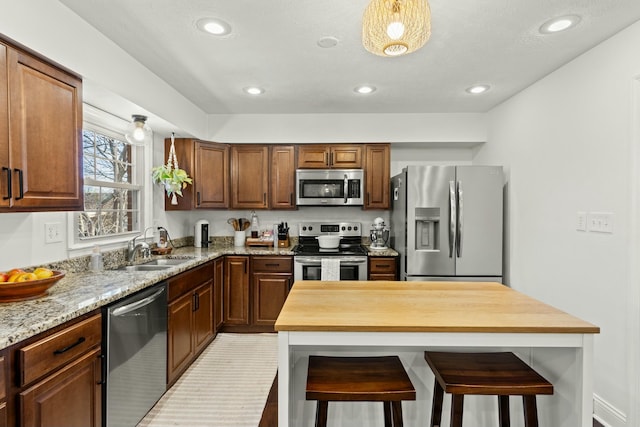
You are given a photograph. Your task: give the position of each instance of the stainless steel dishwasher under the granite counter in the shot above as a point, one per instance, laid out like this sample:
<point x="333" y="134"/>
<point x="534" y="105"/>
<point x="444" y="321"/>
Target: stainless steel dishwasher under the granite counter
<point x="136" y="362"/>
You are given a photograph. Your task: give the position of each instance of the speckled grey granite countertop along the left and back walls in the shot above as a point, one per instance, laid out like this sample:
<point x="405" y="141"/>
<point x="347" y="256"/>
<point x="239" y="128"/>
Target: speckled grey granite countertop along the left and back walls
<point x="79" y="293"/>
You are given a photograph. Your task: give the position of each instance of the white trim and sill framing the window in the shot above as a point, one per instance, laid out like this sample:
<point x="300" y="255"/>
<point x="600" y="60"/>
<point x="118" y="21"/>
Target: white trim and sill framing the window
<point x="102" y="120"/>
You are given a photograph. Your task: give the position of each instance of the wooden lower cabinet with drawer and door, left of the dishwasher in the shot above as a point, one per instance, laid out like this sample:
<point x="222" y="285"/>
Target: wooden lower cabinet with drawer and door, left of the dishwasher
<point x="58" y="376"/>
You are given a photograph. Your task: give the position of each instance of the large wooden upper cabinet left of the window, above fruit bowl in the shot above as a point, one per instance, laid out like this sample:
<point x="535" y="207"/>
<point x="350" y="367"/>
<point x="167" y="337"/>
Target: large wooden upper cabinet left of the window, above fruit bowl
<point x="40" y="134"/>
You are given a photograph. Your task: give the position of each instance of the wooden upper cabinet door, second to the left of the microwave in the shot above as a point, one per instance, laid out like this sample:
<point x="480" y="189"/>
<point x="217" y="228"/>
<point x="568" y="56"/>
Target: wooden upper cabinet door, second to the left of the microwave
<point x="249" y="176"/>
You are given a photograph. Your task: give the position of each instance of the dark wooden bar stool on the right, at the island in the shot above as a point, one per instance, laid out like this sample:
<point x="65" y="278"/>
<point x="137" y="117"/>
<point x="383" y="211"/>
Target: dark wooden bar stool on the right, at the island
<point x="501" y="374"/>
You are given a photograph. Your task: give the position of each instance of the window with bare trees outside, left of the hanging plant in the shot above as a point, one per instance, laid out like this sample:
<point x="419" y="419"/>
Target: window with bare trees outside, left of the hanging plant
<point x="113" y="184"/>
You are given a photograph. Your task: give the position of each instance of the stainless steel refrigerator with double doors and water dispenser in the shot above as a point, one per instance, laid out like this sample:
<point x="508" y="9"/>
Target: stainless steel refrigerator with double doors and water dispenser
<point x="447" y="224"/>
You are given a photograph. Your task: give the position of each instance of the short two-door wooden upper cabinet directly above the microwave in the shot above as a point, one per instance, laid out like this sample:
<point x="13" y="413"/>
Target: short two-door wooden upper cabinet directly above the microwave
<point x="336" y="156"/>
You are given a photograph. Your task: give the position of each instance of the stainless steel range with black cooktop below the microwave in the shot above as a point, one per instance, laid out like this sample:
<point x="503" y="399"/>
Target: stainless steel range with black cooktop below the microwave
<point x="308" y="255"/>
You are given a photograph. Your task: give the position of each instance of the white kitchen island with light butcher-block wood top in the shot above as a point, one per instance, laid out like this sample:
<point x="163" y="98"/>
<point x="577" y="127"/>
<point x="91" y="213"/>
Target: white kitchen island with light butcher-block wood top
<point x="407" y="318"/>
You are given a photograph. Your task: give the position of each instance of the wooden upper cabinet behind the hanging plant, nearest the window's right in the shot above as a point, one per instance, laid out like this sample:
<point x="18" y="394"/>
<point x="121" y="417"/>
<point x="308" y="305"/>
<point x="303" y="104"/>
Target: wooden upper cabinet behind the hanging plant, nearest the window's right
<point x="207" y="163"/>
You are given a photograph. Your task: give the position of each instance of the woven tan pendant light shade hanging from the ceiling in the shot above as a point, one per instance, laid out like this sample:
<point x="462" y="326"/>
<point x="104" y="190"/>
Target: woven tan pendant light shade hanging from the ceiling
<point x="396" y="27"/>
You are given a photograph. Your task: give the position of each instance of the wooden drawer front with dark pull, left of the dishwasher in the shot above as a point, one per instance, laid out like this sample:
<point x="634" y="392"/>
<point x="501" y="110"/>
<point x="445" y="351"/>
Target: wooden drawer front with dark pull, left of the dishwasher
<point x="50" y="353"/>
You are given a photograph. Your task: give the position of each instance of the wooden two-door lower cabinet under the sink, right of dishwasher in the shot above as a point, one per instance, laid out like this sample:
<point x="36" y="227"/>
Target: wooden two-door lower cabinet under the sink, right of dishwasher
<point x="191" y="319"/>
